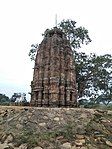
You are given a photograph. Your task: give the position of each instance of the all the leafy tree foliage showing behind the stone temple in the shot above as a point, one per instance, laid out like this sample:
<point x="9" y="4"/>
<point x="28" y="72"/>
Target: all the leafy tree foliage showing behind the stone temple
<point x="93" y="73"/>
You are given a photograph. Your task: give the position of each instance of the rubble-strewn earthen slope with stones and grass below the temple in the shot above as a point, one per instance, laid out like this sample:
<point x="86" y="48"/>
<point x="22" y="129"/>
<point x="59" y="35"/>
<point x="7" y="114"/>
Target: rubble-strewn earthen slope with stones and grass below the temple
<point x="55" y="128"/>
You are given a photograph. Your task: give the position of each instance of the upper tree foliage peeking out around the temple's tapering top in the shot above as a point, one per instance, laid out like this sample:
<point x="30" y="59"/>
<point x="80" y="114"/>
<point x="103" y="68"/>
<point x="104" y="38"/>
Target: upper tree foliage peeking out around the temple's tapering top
<point x="76" y="35"/>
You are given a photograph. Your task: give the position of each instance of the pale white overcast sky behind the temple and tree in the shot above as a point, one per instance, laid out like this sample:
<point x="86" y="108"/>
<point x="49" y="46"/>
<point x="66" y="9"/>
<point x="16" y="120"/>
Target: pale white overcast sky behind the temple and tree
<point x="23" y="21"/>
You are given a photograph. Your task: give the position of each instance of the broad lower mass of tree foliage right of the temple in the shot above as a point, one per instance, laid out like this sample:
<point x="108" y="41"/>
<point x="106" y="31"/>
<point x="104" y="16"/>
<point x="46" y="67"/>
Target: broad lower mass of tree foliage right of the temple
<point x="94" y="76"/>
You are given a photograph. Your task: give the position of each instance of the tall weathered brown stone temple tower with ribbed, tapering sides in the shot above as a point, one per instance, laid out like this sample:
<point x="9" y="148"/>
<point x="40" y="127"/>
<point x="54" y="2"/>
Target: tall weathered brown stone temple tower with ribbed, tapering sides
<point x="54" y="80"/>
